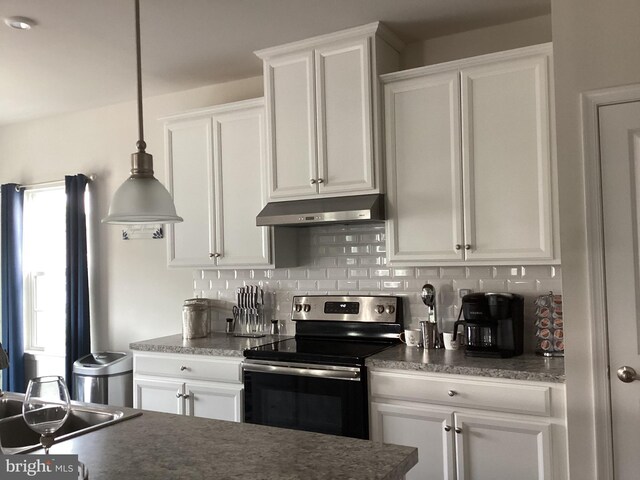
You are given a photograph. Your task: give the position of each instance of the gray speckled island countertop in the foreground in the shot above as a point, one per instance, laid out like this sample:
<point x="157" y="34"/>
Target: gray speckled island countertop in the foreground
<point x="160" y="445"/>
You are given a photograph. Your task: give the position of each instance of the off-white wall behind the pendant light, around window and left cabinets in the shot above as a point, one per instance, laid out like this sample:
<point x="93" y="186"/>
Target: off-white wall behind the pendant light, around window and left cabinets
<point x="136" y="296"/>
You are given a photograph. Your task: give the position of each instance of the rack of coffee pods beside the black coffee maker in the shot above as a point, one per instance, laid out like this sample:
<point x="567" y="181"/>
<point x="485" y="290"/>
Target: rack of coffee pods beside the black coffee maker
<point x="549" y="325"/>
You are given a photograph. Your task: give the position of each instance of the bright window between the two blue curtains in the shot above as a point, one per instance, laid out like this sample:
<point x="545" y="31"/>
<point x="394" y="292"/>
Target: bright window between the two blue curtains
<point x="44" y="264"/>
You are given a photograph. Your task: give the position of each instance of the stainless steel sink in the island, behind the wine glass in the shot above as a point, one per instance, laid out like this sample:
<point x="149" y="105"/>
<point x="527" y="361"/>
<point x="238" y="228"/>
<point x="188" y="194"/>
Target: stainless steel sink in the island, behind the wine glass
<point x="17" y="437"/>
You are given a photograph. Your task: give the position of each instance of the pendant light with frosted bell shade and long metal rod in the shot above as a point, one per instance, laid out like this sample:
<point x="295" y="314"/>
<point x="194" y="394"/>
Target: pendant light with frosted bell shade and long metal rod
<point x="141" y="198"/>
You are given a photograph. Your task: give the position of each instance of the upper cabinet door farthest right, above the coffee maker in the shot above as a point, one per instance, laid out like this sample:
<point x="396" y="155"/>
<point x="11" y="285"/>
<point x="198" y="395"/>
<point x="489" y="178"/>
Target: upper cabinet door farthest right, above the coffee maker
<point x="507" y="160"/>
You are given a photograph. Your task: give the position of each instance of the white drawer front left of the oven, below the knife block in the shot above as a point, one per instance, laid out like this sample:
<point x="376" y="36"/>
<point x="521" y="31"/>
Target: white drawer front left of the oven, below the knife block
<point x="188" y="367"/>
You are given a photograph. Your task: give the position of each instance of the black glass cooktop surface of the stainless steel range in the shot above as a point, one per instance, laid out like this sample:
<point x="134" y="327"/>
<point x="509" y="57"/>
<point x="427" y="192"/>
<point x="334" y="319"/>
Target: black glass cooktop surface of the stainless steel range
<point x="325" y="351"/>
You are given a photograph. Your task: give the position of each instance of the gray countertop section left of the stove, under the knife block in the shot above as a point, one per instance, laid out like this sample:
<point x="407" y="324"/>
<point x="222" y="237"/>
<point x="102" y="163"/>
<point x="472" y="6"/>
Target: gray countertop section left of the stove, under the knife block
<point x="216" y="344"/>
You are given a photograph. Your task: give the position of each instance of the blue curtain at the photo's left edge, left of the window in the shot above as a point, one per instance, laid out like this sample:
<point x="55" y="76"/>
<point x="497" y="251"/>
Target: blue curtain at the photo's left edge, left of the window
<point x="11" y="203"/>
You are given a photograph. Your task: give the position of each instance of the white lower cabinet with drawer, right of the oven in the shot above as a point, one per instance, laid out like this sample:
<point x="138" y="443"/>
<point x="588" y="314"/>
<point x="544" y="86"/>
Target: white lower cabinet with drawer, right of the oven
<point x="465" y="435"/>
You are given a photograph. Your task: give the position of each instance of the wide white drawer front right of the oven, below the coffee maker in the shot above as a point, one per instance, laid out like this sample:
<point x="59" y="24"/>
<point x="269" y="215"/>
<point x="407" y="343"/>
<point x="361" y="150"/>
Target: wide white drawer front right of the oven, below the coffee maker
<point x="485" y="395"/>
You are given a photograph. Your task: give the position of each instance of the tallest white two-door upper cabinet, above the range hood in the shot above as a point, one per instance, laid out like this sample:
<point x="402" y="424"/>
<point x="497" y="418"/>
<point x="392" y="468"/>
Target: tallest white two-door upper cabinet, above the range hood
<point x="323" y="112"/>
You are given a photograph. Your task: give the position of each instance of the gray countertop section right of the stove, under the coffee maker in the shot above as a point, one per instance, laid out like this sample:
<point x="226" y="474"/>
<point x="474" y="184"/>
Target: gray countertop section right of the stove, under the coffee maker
<point x="523" y="367"/>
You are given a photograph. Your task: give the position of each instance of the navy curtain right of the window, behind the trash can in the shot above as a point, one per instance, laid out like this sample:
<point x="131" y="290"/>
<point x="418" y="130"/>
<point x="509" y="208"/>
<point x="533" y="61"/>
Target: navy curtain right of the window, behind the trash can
<point x="78" y="330"/>
